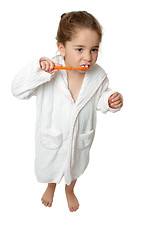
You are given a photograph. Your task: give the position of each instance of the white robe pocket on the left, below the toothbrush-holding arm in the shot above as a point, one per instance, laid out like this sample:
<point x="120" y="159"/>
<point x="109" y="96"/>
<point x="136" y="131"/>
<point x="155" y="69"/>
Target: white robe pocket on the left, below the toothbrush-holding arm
<point x="50" y="139"/>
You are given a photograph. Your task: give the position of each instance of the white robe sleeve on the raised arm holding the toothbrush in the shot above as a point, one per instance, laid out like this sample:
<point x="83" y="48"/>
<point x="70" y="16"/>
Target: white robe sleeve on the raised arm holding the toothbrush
<point x="27" y="81"/>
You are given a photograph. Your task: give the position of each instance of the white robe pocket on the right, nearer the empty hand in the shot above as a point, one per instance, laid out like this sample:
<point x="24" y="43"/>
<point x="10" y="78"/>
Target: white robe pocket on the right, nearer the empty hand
<point x="85" y="140"/>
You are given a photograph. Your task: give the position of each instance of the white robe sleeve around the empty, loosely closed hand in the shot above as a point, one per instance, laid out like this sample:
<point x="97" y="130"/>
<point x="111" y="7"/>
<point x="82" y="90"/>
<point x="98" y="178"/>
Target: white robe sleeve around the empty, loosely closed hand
<point x="106" y="92"/>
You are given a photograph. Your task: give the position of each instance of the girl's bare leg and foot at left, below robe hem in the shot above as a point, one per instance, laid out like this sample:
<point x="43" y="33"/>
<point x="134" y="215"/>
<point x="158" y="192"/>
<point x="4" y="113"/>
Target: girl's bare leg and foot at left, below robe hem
<point x="47" y="197"/>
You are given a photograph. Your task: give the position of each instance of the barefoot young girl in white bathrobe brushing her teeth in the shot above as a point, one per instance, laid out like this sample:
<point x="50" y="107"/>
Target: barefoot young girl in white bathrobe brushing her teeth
<point x="66" y="103"/>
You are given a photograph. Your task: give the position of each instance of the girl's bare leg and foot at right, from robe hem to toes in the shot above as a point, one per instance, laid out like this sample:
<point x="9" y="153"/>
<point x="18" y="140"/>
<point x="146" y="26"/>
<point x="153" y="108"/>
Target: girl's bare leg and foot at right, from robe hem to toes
<point x="73" y="203"/>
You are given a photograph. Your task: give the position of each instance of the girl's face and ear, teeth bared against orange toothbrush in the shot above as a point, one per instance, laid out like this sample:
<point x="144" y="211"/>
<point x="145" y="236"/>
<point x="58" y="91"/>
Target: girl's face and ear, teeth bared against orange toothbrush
<point x="81" y="50"/>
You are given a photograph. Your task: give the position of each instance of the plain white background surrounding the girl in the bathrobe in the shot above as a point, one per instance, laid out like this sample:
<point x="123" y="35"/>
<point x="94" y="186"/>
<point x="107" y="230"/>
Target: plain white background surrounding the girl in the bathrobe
<point x="119" y="193"/>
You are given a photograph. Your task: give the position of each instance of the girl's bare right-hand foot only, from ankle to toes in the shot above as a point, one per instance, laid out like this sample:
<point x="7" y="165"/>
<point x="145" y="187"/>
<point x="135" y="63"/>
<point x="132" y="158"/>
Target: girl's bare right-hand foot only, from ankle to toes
<point x="73" y="203"/>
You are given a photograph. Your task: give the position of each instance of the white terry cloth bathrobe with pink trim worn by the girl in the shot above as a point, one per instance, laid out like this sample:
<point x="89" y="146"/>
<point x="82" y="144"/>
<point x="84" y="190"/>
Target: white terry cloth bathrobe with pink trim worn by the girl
<point x="64" y="129"/>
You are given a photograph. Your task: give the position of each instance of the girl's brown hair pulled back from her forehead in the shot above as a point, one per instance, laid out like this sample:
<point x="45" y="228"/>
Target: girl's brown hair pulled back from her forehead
<point x="71" y="21"/>
